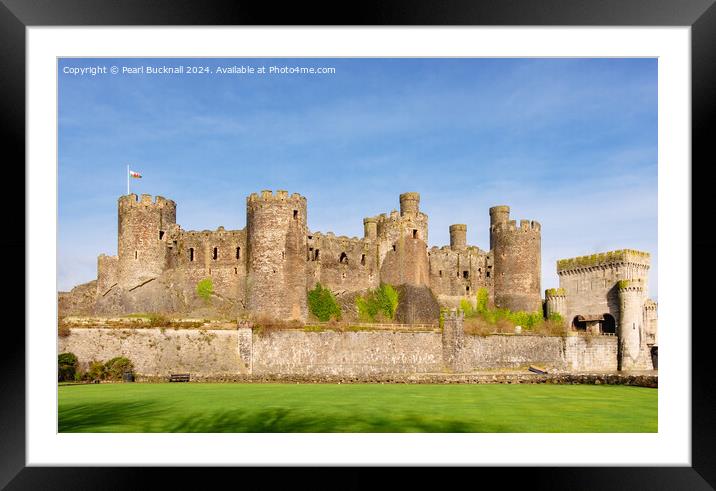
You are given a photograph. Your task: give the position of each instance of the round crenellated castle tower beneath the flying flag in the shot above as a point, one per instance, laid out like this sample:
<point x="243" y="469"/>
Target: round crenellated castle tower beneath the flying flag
<point x="142" y="238"/>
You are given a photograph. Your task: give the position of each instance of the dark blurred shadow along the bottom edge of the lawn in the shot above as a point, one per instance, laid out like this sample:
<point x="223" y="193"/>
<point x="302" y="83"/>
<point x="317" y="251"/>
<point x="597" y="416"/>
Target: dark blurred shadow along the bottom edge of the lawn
<point x="147" y="417"/>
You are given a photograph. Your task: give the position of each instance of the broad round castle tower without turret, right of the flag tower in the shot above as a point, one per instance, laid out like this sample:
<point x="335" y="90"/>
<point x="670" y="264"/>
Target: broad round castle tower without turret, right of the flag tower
<point x="276" y="241"/>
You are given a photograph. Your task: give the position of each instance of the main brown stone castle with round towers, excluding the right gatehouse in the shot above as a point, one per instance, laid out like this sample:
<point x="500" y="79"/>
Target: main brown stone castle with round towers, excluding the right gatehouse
<point x="267" y="267"/>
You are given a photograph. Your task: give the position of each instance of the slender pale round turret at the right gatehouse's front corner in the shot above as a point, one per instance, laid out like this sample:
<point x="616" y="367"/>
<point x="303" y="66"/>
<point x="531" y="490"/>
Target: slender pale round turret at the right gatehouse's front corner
<point x="632" y="339"/>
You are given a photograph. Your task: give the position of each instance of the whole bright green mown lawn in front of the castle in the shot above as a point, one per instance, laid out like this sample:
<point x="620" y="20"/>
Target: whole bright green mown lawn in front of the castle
<point x="210" y="408"/>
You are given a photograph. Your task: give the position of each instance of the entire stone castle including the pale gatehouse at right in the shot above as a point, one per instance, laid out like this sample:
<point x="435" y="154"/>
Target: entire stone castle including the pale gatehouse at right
<point x="268" y="267"/>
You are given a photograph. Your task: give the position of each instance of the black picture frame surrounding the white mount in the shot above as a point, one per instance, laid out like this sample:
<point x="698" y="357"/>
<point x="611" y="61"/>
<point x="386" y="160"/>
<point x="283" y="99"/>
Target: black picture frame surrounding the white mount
<point x="700" y="15"/>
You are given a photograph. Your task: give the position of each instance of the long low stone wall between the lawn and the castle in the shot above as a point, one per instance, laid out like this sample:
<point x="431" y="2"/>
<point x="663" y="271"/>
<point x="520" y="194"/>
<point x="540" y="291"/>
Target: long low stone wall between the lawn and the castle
<point x="224" y="353"/>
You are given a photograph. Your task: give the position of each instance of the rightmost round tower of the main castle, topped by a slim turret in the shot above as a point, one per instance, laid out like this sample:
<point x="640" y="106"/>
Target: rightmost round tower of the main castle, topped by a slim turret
<point x="517" y="261"/>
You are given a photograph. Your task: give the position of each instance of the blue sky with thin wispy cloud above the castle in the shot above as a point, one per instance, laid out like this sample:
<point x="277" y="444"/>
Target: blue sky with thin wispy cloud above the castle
<point x="571" y="143"/>
